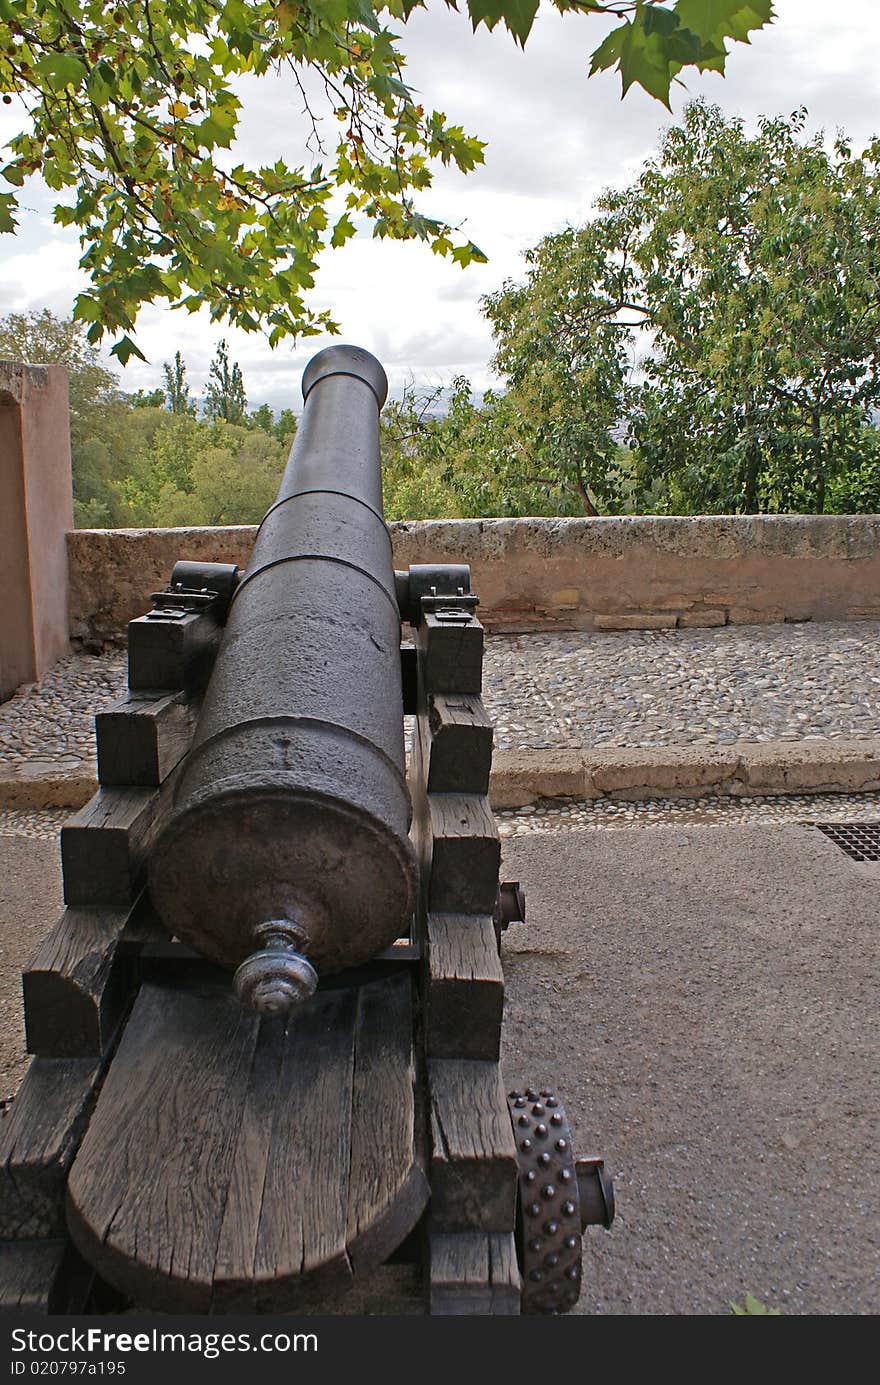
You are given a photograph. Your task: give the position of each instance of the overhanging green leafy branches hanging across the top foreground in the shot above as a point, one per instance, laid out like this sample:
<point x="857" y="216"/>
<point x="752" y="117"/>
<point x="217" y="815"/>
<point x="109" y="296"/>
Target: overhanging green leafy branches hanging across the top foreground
<point x="130" y="111"/>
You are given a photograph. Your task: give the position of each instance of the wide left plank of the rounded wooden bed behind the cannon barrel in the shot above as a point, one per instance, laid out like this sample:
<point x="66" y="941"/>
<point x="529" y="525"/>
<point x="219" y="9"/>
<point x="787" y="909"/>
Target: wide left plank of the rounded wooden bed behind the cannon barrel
<point x="148" y="1190"/>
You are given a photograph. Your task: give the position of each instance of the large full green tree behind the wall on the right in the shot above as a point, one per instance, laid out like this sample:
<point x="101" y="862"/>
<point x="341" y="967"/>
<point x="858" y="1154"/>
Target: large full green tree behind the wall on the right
<point x="746" y="268"/>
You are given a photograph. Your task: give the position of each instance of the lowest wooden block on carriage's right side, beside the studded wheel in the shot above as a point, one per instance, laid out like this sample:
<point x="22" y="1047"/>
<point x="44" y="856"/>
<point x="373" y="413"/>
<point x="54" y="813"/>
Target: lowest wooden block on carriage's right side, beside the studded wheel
<point x="473" y="1274"/>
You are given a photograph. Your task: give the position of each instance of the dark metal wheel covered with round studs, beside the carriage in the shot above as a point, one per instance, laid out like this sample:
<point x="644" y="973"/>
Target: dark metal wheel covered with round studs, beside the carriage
<point x="549" y="1206"/>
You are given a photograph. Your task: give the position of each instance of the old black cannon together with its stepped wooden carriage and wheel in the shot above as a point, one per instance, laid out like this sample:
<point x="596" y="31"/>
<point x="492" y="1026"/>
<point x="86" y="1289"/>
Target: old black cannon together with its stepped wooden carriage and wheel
<point x="267" y="1027"/>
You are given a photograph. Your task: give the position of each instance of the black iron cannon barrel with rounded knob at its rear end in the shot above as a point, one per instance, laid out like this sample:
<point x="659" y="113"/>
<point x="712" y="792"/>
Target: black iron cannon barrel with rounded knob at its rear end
<point x="288" y="851"/>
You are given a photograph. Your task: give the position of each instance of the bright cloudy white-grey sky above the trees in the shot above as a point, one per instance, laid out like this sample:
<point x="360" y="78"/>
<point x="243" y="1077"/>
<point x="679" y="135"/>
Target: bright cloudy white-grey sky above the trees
<point x="555" y="142"/>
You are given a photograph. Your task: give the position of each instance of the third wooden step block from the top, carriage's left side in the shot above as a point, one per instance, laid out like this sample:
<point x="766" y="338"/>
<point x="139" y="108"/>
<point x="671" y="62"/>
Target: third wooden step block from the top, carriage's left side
<point x="105" y="847"/>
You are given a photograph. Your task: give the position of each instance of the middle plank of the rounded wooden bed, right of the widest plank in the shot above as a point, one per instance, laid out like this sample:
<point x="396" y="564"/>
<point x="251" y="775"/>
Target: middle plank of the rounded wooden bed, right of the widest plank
<point x="304" y="1217"/>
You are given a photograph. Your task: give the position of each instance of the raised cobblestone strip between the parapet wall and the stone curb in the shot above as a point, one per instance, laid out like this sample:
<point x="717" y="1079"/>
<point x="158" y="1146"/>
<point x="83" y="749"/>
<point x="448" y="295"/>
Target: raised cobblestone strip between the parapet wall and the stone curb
<point x="631" y="689"/>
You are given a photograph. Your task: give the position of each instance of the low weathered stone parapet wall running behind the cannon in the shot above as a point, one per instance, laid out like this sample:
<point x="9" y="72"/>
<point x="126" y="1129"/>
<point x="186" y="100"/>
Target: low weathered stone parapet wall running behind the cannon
<point x="616" y="574"/>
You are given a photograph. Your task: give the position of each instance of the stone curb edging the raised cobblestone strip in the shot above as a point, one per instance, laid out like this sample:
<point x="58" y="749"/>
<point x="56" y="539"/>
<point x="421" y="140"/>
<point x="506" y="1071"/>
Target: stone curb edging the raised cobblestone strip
<point x="522" y="776"/>
